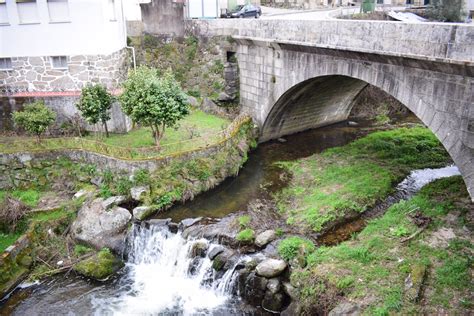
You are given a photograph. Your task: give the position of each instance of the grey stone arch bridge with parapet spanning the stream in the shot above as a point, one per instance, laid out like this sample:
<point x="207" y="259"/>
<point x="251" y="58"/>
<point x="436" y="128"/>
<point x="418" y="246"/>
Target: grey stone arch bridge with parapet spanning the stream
<point x="296" y="75"/>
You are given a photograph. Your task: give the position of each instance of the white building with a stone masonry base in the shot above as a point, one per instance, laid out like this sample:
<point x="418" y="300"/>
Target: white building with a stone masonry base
<point x="59" y="45"/>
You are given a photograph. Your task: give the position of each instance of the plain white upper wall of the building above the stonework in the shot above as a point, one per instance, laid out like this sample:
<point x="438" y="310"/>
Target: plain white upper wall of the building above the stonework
<point x="90" y="29"/>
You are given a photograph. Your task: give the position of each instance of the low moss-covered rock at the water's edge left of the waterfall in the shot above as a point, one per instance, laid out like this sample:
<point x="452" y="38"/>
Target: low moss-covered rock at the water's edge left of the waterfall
<point x="100" y="266"/>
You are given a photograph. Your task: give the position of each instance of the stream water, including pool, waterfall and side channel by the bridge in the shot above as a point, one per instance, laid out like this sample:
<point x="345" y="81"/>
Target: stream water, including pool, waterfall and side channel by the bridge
<point x="163" y="275"/>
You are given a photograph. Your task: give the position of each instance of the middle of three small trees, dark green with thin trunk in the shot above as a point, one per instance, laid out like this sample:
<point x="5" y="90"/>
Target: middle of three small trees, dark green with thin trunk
<point x="95" y="104"/>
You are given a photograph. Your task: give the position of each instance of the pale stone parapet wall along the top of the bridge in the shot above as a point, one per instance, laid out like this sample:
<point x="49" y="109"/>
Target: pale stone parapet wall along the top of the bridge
<point x="442" y="42"/>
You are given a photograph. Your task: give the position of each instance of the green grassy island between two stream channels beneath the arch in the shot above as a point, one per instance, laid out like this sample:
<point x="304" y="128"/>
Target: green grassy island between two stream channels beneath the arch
<point x="344" y="181"/>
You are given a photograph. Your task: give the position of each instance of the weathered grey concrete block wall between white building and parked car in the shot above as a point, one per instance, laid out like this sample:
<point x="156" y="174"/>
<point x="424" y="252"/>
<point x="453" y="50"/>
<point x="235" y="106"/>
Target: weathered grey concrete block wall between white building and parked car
<point x="163" y="17"/>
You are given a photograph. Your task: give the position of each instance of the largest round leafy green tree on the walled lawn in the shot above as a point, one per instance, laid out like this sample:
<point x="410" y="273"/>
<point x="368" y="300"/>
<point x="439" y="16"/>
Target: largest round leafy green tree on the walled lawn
<point x="158" y="102"/>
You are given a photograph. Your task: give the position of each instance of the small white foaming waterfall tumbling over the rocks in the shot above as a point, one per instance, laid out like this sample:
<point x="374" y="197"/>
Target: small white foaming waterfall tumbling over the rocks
<point x="163" y="277"/>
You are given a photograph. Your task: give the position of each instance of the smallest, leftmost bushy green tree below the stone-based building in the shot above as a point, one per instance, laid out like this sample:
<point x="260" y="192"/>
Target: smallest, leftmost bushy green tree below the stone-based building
<point x="35" y="118"/>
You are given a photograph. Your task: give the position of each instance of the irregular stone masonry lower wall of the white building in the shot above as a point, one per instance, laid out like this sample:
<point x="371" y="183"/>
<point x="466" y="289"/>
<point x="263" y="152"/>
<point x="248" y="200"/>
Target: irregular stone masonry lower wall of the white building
<point x="36" y="74"/>
